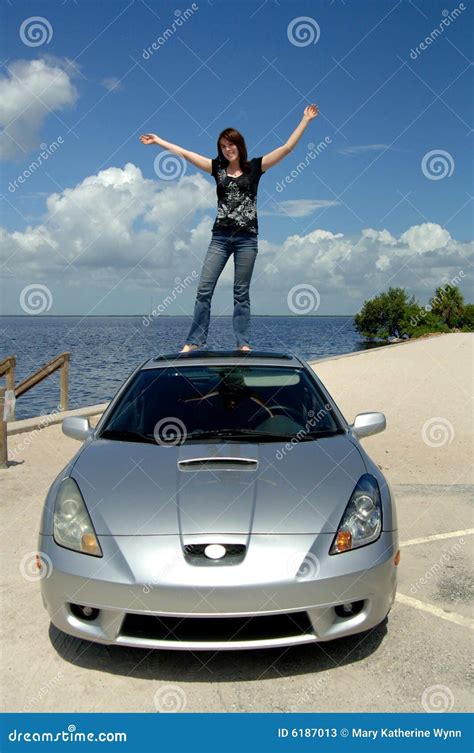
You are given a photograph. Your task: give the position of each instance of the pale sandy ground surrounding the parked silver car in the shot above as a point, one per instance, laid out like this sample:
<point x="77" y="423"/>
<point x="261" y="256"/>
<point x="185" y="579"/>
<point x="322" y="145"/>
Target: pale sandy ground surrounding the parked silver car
<point x="424" y="388"/>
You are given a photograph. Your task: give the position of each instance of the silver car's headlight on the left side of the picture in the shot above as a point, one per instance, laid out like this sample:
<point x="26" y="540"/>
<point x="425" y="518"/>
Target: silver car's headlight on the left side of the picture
<point x="73" y="527"/>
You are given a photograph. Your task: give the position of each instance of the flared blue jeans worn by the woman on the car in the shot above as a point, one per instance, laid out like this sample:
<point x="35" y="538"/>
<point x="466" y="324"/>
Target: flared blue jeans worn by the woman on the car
<point x="222" y="245"/>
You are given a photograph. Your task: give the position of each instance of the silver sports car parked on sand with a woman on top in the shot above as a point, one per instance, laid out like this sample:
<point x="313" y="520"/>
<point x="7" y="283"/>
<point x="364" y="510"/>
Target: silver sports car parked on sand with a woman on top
<point x="221" y="502"/>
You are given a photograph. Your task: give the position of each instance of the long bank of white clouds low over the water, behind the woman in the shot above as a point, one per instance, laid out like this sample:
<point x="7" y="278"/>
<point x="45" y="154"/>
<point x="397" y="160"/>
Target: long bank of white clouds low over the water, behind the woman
<point x="119" y="228"/>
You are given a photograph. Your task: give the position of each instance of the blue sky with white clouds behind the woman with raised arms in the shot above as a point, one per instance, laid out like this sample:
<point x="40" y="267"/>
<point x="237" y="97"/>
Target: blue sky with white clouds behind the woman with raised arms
<point x="384" y="200"/>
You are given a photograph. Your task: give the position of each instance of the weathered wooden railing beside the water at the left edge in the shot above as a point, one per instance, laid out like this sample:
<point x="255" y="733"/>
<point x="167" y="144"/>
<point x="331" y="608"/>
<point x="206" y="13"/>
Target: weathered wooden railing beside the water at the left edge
<point x="7" y="369"/>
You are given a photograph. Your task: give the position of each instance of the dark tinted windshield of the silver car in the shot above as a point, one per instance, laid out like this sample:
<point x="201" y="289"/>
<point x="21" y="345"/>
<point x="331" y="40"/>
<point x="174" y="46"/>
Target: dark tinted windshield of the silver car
<point x="176" y="405"/>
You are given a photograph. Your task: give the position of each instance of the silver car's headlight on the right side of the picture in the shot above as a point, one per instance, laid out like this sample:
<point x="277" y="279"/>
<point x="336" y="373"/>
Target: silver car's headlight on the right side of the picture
<point x="362" y="520"/>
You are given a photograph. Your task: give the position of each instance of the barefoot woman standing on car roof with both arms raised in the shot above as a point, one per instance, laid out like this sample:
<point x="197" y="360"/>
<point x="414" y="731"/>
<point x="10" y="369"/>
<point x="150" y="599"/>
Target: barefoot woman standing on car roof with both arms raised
<point x="235" y="229"/>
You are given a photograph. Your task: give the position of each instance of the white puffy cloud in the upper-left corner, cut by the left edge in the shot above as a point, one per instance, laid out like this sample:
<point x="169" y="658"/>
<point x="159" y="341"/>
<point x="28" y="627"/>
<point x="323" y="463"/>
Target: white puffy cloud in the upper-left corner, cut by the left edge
<point x="32" y="91"/>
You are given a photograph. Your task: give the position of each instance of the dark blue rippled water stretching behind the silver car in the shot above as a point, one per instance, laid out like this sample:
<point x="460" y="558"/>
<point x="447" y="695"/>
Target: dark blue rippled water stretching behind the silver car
<point x="105" y="349"/>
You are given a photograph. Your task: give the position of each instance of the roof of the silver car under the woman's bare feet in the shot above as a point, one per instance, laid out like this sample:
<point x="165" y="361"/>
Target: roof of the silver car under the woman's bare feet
<point x="224" y="357"/>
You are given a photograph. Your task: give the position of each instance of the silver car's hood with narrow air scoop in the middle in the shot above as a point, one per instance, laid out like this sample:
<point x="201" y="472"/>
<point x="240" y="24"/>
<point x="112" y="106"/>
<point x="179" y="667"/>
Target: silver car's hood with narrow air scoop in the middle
<point x="233" y="488"/>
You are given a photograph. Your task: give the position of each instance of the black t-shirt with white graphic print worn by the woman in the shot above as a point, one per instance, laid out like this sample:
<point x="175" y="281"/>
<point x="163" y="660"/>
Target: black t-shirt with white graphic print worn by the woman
<point x="237" y="198"/>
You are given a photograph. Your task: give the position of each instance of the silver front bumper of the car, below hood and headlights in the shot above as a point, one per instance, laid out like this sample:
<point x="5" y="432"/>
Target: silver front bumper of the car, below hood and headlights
<point x="252" y="605"/>
